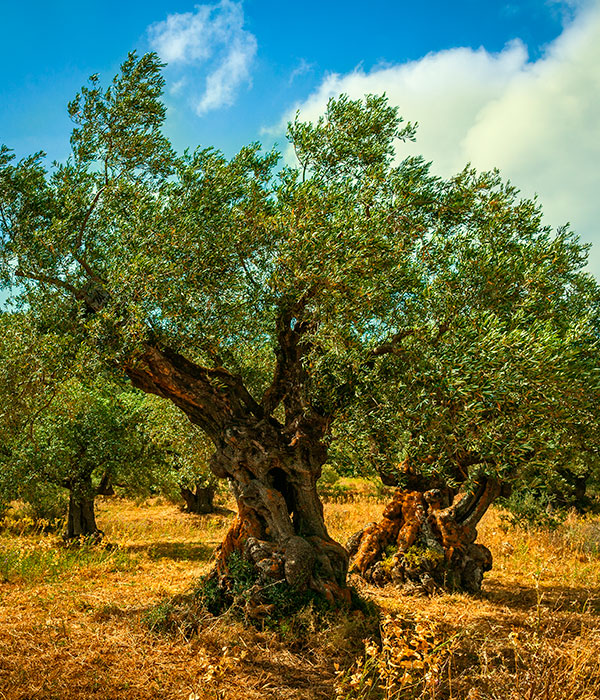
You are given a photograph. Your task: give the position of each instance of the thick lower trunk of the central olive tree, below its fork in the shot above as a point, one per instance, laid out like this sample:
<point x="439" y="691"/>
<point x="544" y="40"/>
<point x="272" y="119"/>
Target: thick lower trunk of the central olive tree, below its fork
<point x="280" y="526"/>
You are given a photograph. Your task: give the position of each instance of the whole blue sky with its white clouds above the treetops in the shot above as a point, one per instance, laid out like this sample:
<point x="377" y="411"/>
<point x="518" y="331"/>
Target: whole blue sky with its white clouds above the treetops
<point x="512" y="84"/>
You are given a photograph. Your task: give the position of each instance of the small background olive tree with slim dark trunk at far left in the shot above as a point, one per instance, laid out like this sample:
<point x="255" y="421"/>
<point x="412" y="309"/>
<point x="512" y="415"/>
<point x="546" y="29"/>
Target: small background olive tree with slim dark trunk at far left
<point x="87" y="440"/>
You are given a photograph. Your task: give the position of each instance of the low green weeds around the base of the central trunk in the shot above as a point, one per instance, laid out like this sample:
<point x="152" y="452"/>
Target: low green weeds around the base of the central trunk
<point x="292" y="613"/>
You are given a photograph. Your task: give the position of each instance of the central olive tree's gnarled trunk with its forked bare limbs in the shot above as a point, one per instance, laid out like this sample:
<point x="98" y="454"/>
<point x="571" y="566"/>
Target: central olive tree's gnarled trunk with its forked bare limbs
<point x="272" y="467"/>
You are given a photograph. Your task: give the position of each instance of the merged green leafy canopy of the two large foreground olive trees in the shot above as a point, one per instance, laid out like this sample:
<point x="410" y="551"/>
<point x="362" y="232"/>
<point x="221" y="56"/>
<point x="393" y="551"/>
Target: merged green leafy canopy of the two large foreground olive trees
<point x="435" y="321"/>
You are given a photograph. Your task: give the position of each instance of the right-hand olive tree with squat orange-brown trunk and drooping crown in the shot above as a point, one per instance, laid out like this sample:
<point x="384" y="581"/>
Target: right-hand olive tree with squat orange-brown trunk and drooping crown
<point x="488" y="407"/>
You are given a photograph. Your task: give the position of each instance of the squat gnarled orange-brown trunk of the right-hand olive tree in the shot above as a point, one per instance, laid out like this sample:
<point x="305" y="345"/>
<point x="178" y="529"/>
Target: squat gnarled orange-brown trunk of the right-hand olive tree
<point x="426" y="538"/>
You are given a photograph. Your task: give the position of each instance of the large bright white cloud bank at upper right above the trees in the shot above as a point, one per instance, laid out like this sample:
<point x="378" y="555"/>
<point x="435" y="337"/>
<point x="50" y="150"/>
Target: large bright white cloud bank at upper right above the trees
<point x="538" y="121"/>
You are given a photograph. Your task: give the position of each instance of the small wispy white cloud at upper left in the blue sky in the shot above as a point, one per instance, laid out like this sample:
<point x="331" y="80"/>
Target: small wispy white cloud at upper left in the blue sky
<point x="212" y="37"/>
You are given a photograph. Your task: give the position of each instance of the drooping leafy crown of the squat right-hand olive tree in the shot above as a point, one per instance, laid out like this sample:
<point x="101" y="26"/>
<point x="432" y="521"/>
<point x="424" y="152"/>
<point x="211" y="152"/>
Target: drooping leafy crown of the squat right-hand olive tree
<point x="486" y="399"/>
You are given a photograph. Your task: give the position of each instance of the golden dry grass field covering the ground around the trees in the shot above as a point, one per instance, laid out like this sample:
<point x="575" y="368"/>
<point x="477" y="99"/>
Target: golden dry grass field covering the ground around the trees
<point x="74" y="622"/>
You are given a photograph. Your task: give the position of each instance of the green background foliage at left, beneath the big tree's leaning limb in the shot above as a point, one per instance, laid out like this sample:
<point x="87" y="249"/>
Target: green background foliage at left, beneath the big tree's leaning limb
<point x="63" y="430"/>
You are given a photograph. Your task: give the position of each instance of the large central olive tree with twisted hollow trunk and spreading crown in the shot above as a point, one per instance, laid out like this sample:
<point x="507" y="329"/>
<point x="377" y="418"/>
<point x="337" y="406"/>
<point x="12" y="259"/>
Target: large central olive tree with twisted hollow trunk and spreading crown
<point x="266" y="301"/>
